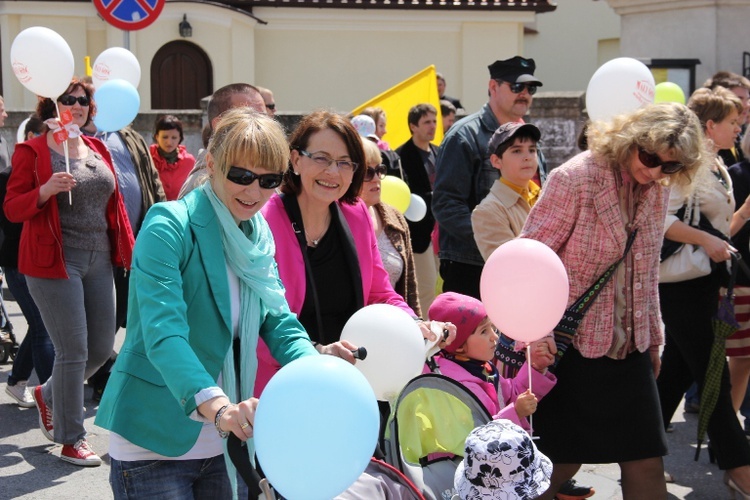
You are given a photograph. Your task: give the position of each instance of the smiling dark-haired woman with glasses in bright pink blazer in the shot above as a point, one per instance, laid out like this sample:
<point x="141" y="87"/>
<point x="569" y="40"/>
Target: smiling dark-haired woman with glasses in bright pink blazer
<point x="326" y="248"/>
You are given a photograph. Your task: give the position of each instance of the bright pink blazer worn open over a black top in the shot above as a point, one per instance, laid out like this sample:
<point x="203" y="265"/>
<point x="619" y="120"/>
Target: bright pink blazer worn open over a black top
<point x="376" y="288"/>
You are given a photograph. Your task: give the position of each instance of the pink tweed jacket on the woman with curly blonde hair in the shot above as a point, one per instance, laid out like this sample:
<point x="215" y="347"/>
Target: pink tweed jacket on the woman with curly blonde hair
<point x="578" y="215"/>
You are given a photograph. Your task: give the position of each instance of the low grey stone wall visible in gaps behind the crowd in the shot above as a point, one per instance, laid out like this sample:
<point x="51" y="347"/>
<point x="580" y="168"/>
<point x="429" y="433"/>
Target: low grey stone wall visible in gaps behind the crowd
<point x="559" y="115"/>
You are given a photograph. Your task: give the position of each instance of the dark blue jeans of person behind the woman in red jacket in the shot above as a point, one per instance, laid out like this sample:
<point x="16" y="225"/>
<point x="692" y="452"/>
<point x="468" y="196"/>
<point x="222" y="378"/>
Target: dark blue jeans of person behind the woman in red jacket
<point x="36" y="351"/>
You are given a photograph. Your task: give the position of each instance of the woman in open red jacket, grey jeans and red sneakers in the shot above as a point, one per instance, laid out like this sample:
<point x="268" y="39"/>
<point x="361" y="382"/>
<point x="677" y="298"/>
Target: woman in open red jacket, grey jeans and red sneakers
<point x="74" y="229"/>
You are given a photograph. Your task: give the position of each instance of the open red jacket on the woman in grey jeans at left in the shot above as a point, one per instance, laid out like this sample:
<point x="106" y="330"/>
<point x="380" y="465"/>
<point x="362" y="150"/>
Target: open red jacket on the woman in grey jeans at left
<point x="40" y="252"/>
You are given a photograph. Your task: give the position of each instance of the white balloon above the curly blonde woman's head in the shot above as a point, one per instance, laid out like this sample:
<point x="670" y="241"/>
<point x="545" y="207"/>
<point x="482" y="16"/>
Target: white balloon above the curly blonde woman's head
<point x="619" y="86"/>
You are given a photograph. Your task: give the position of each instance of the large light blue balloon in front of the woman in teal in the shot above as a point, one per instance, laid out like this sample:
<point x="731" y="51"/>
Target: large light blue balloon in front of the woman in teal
<point x="316" y="428"/>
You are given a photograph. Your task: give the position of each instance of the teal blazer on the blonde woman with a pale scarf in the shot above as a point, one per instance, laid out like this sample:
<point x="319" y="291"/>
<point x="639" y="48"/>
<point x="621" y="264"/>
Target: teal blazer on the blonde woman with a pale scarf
<point x="179" y="328"/>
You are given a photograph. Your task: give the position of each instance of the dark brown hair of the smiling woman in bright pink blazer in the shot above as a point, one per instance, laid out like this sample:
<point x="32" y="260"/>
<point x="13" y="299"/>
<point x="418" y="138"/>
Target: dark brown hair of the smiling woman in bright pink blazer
<point x="322" y="120"/>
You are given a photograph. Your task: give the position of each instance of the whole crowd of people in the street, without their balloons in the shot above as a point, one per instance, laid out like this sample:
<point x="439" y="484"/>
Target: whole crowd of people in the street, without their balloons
<point x="256" y="251"/>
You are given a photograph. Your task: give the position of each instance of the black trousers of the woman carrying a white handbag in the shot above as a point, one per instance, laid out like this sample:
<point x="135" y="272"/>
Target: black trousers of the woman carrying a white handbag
<point x="687" y="308"/>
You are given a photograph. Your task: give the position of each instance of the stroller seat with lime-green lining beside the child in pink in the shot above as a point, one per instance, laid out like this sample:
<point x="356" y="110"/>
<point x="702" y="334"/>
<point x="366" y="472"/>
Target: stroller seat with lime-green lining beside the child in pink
<point x="427" y="431"/>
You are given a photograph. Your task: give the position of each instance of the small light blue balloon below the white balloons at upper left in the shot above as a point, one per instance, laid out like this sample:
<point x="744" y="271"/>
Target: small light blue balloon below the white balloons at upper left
<point x="117" y="104"/>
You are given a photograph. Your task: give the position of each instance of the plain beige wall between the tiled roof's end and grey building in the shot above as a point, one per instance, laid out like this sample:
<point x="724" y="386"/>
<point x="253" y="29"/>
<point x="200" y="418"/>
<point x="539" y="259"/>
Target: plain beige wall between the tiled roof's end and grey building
<point x="571" y="42"/>
